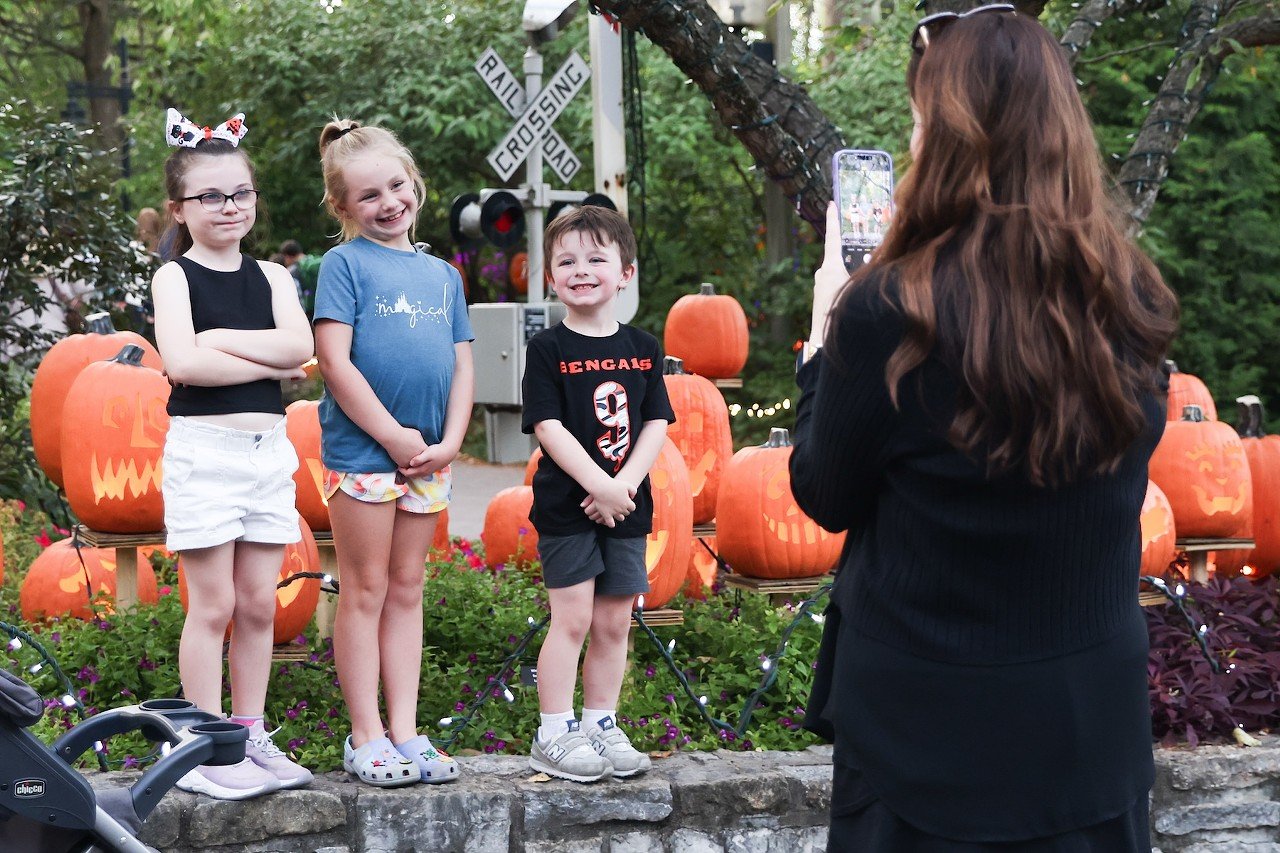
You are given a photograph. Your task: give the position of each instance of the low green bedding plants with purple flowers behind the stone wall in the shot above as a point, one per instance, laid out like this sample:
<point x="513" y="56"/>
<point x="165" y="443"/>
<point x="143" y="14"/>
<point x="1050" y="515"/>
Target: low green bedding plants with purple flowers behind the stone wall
<point x="473" y="621"/>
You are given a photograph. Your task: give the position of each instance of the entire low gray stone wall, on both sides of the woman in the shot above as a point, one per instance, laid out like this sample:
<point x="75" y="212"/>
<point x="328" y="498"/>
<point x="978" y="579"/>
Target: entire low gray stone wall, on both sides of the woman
<point x="1213" y="800"/>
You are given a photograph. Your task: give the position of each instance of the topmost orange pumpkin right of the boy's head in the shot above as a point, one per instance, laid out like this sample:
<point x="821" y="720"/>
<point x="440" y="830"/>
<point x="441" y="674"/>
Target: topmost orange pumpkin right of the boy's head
<point x="708" y="332"/>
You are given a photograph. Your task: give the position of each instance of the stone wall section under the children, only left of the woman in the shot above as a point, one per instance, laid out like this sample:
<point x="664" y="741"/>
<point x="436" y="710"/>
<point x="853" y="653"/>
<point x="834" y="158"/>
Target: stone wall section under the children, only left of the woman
<point x="764" y="802"/>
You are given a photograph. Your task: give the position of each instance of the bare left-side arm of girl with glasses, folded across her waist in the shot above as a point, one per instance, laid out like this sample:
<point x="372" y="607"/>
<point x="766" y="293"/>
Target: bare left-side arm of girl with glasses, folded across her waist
<point x="185" y="361"/>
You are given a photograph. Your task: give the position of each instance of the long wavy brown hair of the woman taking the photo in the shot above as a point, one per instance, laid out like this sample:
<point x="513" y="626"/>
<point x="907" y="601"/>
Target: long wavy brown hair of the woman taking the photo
<point x="1053" y="320"/>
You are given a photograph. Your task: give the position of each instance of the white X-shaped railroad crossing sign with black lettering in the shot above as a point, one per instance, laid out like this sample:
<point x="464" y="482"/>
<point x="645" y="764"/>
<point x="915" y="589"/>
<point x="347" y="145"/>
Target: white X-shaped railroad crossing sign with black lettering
<point x="534" y="121"/>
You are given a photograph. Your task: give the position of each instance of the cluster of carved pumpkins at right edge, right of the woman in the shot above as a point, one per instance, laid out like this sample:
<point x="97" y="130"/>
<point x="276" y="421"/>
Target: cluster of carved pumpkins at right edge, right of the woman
<point x="1212" y="482"/>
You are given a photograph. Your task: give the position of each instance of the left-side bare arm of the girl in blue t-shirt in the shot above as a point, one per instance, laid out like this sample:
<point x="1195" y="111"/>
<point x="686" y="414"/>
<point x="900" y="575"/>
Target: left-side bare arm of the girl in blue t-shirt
<point x="358" y="399"/>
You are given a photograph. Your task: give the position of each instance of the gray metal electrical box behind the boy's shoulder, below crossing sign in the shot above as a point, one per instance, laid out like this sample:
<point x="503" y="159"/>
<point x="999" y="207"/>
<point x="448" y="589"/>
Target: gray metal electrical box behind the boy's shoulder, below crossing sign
<point x="502" y="332"/>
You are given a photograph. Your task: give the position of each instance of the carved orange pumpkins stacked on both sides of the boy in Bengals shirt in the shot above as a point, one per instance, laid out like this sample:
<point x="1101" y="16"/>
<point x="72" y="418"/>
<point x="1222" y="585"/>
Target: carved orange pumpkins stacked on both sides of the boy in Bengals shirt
<point x="697" y="480"/>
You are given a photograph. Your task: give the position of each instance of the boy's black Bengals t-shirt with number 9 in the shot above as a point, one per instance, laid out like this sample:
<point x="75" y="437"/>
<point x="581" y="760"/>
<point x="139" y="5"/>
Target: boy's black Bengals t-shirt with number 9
<point x="604" y="391"/>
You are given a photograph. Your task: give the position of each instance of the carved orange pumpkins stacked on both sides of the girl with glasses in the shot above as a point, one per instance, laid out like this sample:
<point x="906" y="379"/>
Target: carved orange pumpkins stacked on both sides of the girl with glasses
<point x="99" y="422"/>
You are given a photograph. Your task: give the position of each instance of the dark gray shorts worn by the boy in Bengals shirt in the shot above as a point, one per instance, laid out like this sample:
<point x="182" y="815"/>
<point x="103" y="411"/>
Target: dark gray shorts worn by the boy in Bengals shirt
<point x="618" y="565"/>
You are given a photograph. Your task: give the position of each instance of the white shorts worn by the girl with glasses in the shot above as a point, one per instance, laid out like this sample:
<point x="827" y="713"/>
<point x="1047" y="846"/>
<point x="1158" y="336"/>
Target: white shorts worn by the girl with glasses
<point x="225" y="485"/>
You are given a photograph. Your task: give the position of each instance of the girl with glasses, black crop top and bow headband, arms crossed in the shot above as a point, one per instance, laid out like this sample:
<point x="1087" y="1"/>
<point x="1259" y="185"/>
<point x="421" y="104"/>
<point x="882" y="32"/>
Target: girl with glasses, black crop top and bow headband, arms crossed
<point x="230" y="330"/>
